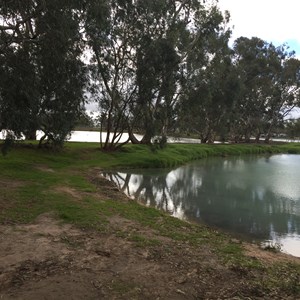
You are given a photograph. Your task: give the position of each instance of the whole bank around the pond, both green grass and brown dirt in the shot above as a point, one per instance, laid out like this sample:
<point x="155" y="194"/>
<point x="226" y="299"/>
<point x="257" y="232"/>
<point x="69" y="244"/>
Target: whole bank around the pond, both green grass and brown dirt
<point x="67" y="233"/>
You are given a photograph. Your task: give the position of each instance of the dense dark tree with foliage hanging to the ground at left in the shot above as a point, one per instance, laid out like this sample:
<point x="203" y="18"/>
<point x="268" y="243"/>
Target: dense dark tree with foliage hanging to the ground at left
<point x="62" y="74"/>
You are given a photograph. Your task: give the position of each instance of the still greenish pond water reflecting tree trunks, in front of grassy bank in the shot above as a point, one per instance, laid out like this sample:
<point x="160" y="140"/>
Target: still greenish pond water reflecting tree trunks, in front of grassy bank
<point x="257" y="198"/>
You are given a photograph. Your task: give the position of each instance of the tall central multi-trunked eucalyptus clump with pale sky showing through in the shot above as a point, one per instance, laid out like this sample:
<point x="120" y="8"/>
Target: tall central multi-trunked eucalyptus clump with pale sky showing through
<point x="140" y="57"/>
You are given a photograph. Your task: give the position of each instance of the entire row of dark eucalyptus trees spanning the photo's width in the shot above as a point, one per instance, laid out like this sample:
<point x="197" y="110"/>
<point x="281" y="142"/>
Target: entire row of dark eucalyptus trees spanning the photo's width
<point x="156" y="67"/>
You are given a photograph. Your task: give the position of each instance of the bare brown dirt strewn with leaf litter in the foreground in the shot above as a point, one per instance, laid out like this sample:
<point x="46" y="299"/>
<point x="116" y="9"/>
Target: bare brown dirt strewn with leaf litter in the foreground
<point x="51" y="260"/>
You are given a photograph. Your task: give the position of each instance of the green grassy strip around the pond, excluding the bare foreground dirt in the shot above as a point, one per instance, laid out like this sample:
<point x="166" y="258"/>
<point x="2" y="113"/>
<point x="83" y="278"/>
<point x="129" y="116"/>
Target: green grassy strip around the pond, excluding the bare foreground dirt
<point x="34" y="182"/>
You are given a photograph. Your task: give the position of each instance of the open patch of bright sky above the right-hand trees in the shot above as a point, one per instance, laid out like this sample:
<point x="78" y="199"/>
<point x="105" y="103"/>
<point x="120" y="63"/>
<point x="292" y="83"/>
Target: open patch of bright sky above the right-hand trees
<point x="271" y="20"/>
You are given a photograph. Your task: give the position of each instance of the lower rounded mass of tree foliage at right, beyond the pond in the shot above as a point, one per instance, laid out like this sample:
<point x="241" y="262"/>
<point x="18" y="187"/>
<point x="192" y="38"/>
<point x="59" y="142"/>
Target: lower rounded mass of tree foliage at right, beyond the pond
<point x="240" y="93"/>
